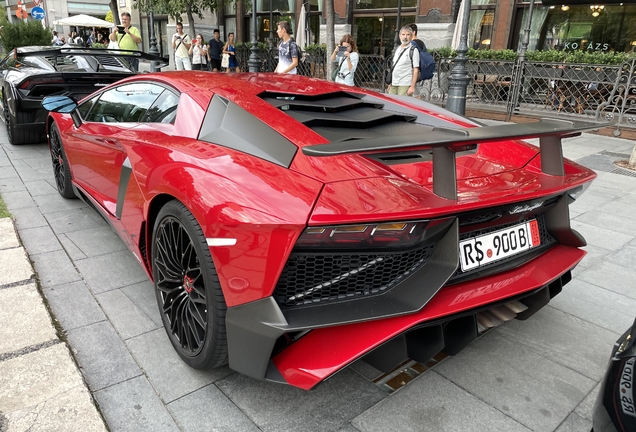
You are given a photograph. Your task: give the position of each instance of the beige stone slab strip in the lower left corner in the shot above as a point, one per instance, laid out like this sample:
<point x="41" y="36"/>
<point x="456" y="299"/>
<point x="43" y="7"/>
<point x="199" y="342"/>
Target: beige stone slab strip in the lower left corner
<point x="41" y="388"/>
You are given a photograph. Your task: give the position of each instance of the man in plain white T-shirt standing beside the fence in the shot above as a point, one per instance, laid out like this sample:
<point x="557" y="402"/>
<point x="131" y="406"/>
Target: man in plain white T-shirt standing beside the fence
<point x="405" y="70"/>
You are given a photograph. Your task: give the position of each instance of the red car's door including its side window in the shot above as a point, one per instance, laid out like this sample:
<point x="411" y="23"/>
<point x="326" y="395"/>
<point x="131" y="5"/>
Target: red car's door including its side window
<point x="97" y="149"/>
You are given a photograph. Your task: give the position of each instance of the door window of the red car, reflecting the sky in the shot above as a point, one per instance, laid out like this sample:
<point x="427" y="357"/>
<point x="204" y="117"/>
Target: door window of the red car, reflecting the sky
<point x="125" y="104"/>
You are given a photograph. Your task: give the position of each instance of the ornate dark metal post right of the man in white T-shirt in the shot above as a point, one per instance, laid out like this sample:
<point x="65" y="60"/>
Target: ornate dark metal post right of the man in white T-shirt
<point x="458" y="81"/>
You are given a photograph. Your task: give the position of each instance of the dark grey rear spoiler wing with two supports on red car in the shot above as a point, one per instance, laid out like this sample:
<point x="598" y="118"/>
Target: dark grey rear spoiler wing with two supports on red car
<point x="445" y="142"/>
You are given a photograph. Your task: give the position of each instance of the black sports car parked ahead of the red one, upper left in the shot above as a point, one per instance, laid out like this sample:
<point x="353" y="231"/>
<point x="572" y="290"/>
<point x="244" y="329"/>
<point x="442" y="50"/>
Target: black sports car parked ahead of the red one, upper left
<point x="30" y="73"/>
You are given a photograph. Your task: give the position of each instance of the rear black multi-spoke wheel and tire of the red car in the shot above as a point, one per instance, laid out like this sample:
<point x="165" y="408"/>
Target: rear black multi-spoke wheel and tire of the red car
<point x="189" y="295"/>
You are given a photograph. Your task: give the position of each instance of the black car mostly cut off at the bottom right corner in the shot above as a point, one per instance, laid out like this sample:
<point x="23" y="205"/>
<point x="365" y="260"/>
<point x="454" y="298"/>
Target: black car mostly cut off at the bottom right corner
<point x="615" y="409"/>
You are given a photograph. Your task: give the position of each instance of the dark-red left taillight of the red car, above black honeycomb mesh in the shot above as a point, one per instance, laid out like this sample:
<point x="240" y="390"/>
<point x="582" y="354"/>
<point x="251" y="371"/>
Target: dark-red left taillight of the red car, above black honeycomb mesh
<point x="381" y="235"/>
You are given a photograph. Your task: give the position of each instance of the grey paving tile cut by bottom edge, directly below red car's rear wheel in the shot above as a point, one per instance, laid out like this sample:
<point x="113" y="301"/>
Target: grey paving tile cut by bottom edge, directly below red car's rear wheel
<point x="208" y="409"/>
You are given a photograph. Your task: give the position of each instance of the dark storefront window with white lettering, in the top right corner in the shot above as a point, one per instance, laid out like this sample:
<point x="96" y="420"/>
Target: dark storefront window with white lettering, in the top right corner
<point x="611" y="28"/>
